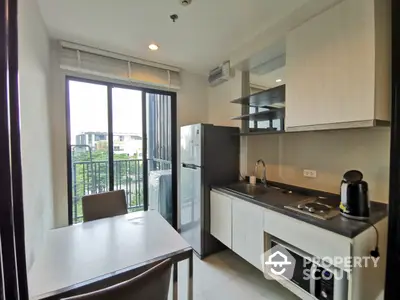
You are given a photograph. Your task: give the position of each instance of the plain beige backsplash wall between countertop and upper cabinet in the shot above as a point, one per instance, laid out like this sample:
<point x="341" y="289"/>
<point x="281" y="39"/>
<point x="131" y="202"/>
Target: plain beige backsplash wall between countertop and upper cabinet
<point x="330" y="153"/>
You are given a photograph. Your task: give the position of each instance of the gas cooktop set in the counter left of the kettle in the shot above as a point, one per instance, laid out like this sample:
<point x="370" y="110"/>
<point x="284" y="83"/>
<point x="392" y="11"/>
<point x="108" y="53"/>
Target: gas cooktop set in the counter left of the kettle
<point x="315" y="207"/>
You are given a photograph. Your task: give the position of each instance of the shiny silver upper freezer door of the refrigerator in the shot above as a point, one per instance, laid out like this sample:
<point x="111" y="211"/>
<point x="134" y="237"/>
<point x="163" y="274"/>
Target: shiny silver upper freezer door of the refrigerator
<point x="191" y="144"/>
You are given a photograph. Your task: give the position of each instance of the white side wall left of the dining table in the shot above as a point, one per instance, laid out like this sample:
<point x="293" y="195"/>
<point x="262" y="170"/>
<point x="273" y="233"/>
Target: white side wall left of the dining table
<point x="35" y="127"/>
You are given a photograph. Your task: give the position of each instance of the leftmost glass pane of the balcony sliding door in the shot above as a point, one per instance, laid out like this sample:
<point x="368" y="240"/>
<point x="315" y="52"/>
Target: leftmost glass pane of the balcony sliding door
<point x="89" y="155"/>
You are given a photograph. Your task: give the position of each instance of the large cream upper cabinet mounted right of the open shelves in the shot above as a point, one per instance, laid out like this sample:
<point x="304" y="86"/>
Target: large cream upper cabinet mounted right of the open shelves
<point x="338" y="68"/>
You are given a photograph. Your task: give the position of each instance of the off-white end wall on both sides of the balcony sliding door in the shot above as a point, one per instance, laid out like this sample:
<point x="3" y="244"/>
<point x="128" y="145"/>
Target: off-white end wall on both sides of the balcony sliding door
<point x="191" y="108"/>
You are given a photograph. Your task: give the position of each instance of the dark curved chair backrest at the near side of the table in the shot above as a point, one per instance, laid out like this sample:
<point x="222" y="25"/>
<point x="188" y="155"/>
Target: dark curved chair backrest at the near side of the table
<point x="153" y="284"/>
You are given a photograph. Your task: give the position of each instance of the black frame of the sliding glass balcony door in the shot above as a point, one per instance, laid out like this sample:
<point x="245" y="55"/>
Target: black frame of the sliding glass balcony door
<point x="174" y="145"/>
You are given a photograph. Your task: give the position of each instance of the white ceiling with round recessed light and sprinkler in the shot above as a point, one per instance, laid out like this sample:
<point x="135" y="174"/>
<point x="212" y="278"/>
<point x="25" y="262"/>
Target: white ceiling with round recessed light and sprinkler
<point x="205" y="34"/>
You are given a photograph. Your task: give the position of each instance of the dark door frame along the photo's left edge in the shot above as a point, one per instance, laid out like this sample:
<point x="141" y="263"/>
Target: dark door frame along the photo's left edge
<point x="13" y="267"/>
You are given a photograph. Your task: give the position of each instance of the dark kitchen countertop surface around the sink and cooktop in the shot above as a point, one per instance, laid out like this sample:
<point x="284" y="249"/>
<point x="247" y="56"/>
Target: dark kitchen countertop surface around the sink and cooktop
<point x="276" y="200"/>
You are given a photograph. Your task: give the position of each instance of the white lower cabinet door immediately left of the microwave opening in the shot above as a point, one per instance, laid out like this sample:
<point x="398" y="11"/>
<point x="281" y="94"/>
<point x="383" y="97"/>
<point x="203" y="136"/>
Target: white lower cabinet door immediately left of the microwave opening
<point x="248" y="231"/>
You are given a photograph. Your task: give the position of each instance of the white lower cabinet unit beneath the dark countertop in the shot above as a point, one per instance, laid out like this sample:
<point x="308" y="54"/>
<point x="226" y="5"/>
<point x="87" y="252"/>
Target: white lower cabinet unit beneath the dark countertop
<point x="243" y="226"/>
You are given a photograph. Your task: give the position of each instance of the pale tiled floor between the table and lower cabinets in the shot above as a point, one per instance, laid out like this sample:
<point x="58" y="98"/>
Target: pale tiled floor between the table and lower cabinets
<point x="226" y="276"/>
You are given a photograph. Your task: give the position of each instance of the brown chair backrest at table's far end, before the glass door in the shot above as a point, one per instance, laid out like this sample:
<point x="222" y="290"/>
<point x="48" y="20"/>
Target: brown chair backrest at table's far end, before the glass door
<point x="104" y="205"/>
